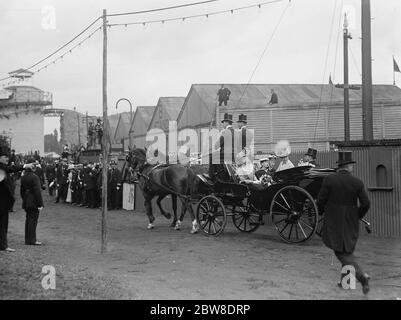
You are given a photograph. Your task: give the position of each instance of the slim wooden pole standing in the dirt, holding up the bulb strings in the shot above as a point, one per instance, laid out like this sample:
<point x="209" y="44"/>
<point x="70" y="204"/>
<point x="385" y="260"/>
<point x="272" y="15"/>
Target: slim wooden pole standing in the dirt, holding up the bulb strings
<point x="104" y="138"/>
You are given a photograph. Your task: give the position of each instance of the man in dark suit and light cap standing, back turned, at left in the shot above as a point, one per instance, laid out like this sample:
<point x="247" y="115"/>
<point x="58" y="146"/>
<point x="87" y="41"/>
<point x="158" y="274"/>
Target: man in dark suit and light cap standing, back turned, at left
<point x="32" y="202"/>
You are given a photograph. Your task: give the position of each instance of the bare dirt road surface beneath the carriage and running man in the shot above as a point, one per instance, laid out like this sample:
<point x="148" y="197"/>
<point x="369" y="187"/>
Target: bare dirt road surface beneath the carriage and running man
<point x="168" y="264"/>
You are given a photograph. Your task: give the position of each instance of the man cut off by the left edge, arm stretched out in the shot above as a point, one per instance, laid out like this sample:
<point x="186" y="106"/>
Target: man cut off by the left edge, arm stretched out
<point x="6" y="195"/>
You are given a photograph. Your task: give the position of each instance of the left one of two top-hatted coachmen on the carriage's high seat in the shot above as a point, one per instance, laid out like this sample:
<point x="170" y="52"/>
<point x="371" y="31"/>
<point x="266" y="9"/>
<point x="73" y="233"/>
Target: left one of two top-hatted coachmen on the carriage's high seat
<point x="226" y="147"/>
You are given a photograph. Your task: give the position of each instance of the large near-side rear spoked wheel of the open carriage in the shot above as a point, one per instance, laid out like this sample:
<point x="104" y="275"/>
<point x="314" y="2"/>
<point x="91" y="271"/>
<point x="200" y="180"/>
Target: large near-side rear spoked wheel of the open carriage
<point x="294" y="214"/>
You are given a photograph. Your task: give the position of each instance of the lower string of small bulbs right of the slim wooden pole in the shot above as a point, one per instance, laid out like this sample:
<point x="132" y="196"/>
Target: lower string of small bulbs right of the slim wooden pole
<point x="189" y="17"/>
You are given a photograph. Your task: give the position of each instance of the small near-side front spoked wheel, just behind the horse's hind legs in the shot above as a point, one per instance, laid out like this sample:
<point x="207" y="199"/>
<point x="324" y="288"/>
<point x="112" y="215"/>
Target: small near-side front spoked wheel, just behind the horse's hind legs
<point x="211" y="216"/>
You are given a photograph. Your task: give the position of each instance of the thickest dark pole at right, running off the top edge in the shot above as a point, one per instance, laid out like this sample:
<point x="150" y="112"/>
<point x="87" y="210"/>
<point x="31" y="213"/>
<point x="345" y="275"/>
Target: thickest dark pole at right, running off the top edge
<point x="367" y="98"/>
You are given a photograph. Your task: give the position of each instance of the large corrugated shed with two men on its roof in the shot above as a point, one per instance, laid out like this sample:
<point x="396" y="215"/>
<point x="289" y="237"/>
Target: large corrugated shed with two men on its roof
<point x="306" y="115"/>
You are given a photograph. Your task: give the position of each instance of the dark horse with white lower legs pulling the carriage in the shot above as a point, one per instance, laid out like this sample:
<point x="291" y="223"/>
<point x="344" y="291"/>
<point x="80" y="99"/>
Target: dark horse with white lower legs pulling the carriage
<point x="157" y="180"/>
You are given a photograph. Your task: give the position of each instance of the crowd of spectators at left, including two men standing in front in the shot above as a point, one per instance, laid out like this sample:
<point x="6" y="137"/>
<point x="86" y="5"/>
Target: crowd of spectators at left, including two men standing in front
<point x="76" y="184"/>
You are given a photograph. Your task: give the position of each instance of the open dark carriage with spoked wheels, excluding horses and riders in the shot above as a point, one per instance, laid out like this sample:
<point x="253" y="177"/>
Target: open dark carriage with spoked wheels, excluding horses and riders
<point x="290" y="202"/>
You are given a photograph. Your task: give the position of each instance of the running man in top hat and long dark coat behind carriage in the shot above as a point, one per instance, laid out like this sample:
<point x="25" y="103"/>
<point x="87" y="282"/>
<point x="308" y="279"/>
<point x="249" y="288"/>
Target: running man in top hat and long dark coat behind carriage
<point x="338" y="199"/>
